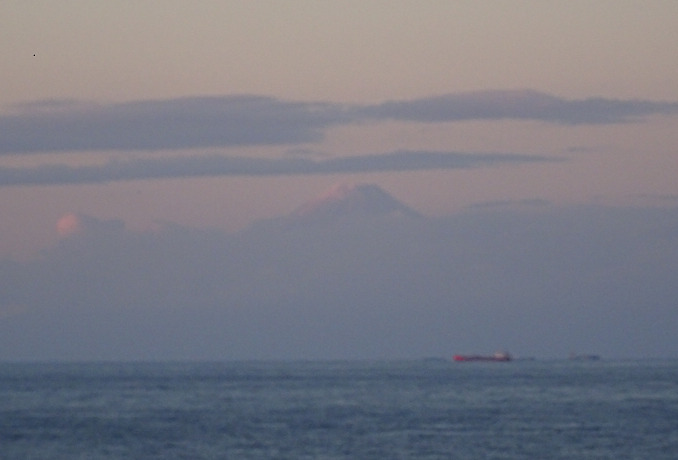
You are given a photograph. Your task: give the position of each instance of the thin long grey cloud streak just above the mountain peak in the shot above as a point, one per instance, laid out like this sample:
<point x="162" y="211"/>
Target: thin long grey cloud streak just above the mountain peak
<point x="215" y="165"/>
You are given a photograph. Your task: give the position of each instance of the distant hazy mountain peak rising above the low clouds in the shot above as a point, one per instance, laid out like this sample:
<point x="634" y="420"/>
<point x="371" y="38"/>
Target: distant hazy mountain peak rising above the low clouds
<point x="353" y="200"/>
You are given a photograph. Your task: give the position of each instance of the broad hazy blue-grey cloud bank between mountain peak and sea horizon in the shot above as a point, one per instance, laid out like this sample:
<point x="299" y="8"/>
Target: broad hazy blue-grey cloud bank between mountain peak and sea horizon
<point x="540" y="281"/>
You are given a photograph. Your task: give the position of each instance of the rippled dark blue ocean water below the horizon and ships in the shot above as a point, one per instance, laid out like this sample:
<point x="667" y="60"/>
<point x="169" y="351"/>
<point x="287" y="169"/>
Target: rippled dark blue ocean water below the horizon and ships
<point x="429" y="409"/>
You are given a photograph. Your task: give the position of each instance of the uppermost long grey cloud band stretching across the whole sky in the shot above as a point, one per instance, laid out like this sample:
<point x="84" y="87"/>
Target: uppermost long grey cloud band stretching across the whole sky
<point x="237" y="120"/>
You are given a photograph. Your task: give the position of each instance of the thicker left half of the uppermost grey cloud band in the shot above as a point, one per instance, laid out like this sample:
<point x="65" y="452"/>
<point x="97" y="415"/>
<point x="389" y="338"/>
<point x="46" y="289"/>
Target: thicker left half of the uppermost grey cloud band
<point x="191" y="122"/>
